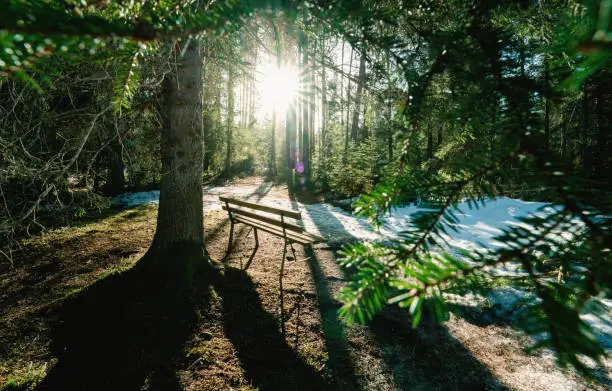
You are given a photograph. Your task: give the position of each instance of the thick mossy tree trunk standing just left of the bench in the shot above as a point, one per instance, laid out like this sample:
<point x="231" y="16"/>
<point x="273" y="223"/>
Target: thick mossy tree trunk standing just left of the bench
<point x="180" y="216"/>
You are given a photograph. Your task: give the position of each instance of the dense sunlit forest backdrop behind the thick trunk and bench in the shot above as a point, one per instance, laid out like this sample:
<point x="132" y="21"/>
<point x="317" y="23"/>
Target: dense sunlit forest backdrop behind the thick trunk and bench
<point x="457" y="76"/>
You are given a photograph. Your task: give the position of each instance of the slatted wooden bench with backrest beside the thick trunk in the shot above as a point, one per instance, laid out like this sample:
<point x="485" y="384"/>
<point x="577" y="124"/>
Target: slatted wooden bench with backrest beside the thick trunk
<point x="286" y="226"/>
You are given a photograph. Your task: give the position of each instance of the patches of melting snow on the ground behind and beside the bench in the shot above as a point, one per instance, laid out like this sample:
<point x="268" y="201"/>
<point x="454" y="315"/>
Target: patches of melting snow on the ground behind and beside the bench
<point x="476" y="228"/>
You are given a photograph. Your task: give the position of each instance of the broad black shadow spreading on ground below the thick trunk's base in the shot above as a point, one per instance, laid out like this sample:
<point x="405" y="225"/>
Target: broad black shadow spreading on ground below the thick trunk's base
<point x="127" y="331"/>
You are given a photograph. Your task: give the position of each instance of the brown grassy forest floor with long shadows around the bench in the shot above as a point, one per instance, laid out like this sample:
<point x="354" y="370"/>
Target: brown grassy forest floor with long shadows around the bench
<point x="247" y="335"/>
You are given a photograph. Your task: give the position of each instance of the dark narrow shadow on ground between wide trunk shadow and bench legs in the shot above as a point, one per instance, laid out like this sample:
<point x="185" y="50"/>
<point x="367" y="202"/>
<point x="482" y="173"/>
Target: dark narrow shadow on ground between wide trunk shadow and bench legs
<point x="269" y="363"/>
